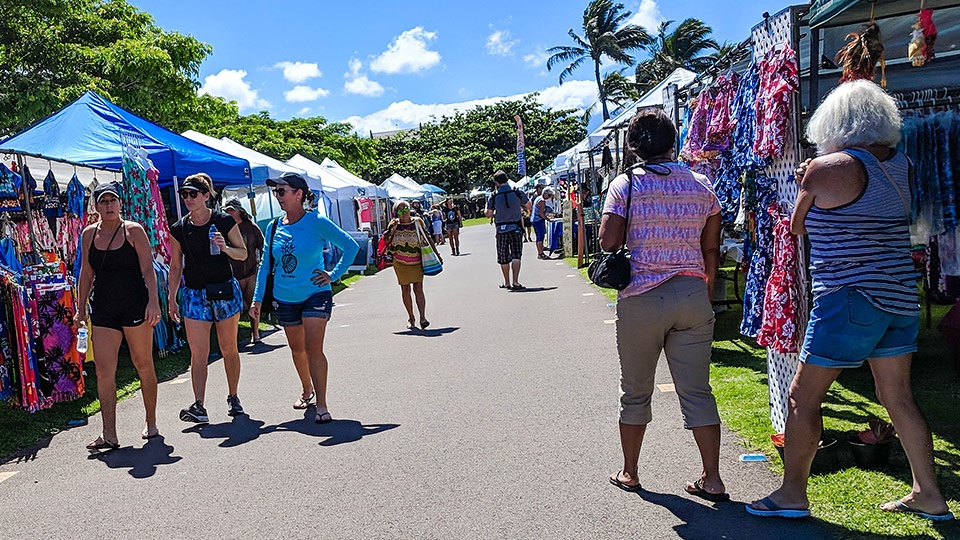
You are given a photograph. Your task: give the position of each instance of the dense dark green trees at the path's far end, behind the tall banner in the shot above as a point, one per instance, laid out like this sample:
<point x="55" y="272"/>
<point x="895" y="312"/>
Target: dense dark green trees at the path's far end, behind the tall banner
<point x="462" y="151"/>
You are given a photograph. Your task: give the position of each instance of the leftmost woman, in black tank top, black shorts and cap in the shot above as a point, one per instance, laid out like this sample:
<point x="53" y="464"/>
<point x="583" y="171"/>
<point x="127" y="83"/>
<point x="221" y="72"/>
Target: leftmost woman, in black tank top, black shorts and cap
<point x="119" y="270"/>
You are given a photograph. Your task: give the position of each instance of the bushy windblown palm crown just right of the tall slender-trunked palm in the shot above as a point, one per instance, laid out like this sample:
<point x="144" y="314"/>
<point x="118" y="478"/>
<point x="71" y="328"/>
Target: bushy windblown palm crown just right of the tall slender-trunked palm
<point x="681" y="48"/>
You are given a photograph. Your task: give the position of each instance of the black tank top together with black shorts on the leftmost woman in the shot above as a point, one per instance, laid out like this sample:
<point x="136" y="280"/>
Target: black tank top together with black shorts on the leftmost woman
<point x="119" y="292"/>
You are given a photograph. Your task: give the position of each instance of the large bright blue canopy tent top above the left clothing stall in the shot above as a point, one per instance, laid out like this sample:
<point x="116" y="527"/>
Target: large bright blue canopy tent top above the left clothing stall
<point x="93" y="131"/>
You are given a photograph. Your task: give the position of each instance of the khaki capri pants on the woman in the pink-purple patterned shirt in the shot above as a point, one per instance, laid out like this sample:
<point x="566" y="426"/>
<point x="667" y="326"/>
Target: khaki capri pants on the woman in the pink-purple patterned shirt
<point x="676" y="318"/>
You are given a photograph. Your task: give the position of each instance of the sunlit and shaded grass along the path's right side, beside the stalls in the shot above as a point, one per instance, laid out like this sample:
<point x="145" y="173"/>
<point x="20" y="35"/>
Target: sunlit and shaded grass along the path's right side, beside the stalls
<point x="848" y="497"/>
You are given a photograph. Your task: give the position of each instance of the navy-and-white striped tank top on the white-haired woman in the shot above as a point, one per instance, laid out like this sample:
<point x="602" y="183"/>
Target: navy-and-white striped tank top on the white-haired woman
<point x="866" y="244"/>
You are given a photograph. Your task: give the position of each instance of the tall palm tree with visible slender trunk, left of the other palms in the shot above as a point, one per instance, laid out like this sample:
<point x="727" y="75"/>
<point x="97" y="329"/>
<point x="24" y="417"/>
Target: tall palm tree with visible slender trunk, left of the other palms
<point x="602" y="37"/>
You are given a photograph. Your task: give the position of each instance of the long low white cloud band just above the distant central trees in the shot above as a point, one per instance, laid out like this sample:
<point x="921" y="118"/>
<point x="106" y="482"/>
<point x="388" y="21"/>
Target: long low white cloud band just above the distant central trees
<point x="406" y="114"/>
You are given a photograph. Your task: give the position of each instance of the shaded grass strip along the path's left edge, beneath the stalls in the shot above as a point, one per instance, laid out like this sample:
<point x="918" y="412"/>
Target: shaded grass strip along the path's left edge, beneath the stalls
<point x="19" y="429"/>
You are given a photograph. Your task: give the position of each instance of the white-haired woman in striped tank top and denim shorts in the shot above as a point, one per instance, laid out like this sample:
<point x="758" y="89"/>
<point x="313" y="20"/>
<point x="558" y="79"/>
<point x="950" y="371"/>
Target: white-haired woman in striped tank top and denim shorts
<point x="854" y="205"/>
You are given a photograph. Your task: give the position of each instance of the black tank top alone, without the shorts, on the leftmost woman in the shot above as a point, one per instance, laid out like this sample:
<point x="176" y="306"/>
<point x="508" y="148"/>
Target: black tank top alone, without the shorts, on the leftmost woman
<point x="117" y="277"/>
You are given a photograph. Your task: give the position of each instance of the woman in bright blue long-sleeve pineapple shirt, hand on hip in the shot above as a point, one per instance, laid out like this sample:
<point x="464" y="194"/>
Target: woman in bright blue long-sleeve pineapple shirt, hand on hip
<point x="303" y="298"/>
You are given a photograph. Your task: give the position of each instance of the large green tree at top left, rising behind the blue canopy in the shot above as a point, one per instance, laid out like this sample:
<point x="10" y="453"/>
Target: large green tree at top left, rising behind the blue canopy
<point x="51" y="51"/>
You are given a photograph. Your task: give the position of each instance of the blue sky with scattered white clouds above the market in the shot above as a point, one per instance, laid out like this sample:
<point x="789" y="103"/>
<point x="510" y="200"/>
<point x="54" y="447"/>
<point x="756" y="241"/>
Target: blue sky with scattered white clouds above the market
<point x="385" y="65"/>
